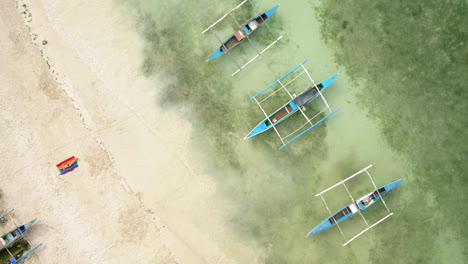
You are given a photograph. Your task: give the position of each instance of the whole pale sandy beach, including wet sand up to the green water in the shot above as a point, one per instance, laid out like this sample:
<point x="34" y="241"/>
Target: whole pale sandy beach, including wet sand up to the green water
<point x="68" y="89"/>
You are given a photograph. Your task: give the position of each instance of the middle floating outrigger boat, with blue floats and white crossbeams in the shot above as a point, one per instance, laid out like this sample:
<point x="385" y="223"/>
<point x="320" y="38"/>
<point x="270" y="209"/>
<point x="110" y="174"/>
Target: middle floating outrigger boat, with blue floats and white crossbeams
<point x="296" y="104"/>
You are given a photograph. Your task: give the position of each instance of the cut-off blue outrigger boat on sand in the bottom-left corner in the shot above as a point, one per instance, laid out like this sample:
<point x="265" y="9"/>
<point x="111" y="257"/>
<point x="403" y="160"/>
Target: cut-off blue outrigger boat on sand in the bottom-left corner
<point x="10" y="239"/>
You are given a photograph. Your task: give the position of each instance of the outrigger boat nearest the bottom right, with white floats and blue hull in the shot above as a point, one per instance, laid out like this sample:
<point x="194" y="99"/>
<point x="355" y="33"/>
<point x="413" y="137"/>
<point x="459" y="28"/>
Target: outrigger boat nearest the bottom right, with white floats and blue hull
<point x="355" y="207"/>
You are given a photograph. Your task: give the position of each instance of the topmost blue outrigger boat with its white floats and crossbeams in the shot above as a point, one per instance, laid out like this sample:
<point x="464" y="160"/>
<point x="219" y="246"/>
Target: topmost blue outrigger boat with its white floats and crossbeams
<point x="245" y="30"/>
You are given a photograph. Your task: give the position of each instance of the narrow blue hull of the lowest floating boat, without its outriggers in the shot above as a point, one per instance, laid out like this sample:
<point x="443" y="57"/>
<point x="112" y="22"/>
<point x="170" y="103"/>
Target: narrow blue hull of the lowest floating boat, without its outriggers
<point x="360" y="204"/>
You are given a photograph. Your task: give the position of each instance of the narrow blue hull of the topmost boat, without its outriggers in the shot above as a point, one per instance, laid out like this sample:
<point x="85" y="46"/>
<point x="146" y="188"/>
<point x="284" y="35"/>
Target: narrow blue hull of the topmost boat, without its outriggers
<point x="244" y="32"/>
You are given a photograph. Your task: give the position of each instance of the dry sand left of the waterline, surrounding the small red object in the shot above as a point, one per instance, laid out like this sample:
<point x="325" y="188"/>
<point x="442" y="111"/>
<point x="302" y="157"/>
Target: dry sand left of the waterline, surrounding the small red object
<point x="42" y="125"/>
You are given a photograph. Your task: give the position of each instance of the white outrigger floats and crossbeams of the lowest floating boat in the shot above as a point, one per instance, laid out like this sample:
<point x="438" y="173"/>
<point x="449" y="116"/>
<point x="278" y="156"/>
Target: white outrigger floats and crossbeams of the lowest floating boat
<point x="347" y="241"/>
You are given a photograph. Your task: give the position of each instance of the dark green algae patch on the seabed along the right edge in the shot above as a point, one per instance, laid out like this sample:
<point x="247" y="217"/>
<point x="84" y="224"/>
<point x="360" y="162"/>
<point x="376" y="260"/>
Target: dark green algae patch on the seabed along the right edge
<point x="413" y="56"/>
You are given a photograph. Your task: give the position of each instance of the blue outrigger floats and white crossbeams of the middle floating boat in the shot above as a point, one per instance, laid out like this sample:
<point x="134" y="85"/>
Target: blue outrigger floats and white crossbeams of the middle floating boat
<point x="308" y="120"/>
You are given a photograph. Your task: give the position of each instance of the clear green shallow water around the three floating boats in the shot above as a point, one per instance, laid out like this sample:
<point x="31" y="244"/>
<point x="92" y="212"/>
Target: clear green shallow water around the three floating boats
<point x="403" y="110"/>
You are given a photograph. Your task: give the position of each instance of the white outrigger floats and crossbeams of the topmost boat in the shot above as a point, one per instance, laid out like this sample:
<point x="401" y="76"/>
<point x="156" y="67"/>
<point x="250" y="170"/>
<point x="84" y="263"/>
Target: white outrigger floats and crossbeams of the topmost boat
<point x="251" y="43"/>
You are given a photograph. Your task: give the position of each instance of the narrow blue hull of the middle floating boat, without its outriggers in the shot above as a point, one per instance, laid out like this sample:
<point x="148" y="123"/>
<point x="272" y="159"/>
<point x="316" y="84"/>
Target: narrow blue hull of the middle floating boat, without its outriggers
<point x="291" y="107"/>
